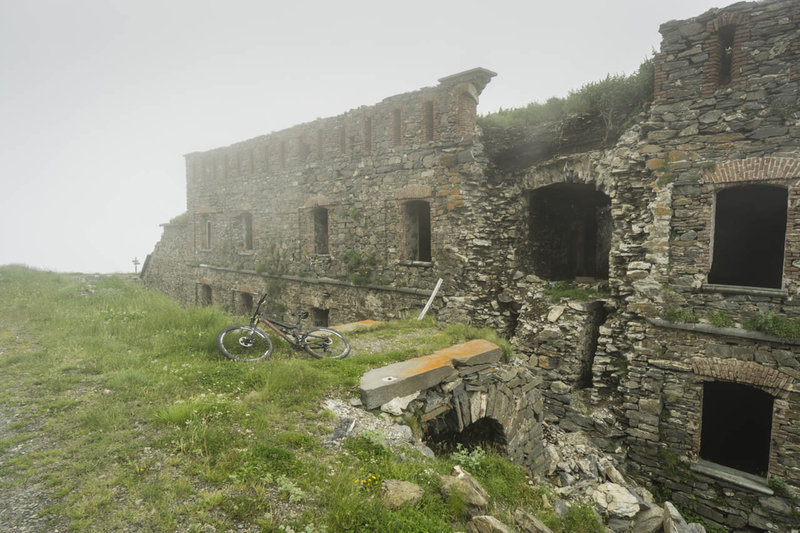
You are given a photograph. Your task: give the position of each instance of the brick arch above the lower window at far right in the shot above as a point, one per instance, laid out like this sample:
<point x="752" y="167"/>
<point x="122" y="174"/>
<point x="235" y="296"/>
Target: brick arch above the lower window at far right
<point x="768" y="379"/>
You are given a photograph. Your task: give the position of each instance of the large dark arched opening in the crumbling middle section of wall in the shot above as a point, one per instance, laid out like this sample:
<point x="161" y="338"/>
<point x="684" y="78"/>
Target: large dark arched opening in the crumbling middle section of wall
<point x="569" y="232"/>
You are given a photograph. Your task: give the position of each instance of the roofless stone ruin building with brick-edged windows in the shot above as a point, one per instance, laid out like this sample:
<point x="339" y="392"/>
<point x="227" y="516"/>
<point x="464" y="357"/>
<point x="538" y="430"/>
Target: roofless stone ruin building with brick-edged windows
<point x="683" y="231"/>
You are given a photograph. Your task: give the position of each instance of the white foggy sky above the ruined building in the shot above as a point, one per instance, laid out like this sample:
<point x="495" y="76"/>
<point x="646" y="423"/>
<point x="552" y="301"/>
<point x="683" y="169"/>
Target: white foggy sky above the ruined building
<point x="100" y="99"/>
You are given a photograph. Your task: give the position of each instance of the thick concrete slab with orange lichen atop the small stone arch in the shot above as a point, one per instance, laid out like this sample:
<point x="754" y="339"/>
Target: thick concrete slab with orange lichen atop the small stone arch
<point x="380" y="385"/>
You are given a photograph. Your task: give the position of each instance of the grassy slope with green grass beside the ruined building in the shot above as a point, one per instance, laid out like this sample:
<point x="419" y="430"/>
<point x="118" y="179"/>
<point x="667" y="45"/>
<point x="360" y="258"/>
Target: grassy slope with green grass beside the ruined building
<point x="142" y="425"/>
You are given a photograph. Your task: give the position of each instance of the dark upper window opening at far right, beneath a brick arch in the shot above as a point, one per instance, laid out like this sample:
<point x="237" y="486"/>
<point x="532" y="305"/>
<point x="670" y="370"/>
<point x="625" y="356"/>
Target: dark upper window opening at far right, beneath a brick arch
<point x="749" y="234"/>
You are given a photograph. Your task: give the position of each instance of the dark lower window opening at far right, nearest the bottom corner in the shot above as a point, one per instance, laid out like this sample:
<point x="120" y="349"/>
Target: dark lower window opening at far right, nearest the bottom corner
<point x="737" y="423"/>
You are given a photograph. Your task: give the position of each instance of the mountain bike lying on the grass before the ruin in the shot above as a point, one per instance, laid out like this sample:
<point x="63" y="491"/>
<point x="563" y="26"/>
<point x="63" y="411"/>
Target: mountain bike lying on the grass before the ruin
<point x="250" y="343"/>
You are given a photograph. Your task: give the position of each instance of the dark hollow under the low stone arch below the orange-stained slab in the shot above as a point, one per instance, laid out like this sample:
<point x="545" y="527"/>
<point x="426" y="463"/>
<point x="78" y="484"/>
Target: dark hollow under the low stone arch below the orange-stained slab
<point x="486" y="433"/>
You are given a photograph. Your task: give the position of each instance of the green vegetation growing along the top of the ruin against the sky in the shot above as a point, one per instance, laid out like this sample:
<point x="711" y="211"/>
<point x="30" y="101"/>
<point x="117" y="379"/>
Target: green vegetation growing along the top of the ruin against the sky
<point x="616" y="99"/>
